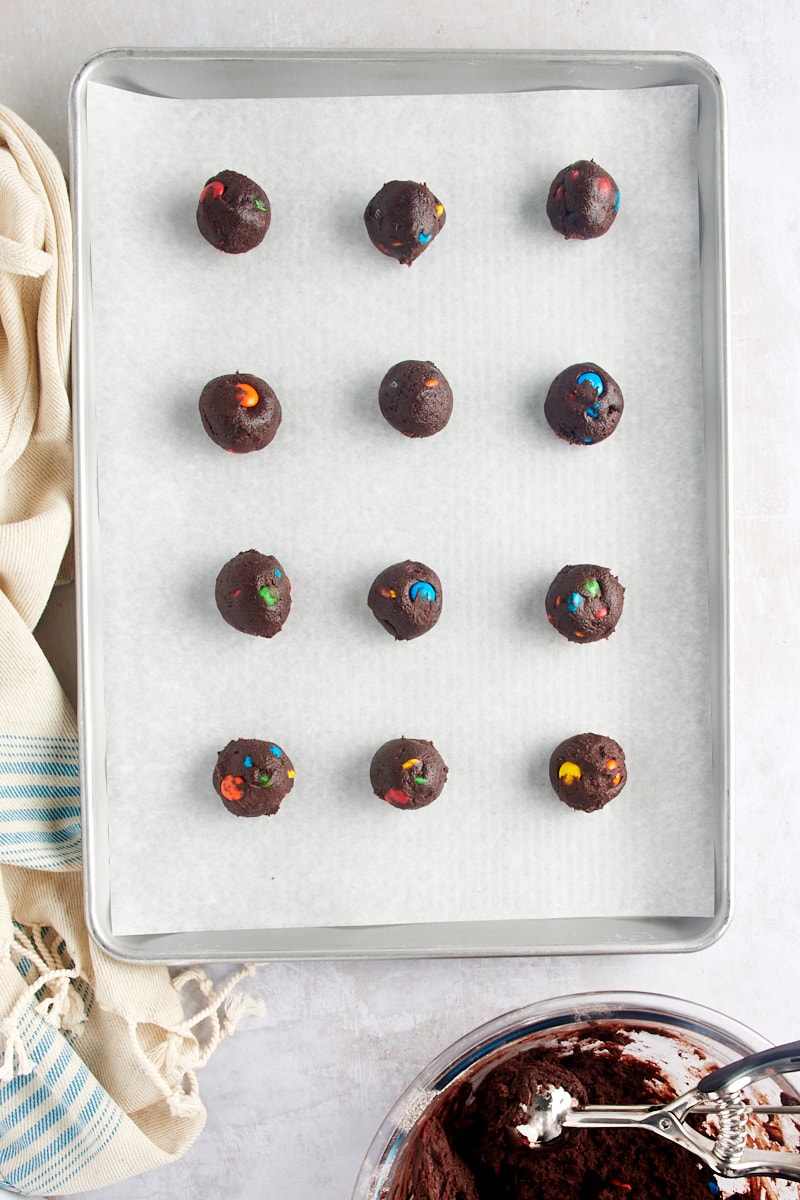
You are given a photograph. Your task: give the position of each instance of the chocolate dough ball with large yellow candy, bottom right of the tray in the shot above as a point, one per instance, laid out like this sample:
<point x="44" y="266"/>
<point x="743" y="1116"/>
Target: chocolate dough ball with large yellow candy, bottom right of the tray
<point x="588" y="771"/>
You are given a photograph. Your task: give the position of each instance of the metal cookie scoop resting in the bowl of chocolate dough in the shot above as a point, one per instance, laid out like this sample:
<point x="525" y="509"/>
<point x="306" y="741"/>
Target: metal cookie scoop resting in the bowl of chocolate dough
<point x="718" y="1095"/>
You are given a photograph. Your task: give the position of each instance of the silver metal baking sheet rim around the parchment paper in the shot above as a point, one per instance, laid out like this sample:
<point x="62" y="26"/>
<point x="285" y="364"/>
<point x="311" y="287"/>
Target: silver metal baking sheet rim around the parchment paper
<point x="239" y="74"/>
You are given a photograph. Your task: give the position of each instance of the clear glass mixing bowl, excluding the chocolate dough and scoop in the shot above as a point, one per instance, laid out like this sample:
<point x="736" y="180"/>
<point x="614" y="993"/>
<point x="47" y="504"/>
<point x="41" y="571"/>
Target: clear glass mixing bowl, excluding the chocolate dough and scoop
<point x="684" y="1040"/>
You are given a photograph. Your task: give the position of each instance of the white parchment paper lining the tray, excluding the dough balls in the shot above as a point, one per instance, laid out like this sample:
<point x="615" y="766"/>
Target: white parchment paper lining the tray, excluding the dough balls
<point x="496" y="505"/>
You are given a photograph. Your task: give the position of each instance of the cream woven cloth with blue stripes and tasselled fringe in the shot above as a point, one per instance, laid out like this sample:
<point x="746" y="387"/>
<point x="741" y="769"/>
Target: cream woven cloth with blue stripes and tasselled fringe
<point x="97" y="1058"/>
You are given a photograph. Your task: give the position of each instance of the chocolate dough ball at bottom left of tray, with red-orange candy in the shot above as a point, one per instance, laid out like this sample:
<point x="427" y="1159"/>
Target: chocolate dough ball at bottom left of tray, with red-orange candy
<point x="254" y="777"/>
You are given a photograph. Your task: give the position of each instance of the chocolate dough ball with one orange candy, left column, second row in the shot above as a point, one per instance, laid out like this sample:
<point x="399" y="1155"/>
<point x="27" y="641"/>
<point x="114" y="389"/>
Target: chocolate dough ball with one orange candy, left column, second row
<point x="240" y="412"/>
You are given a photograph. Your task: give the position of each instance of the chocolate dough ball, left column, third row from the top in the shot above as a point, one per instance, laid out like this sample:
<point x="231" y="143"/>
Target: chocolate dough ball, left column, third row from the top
<point x="254" y="595"/>
